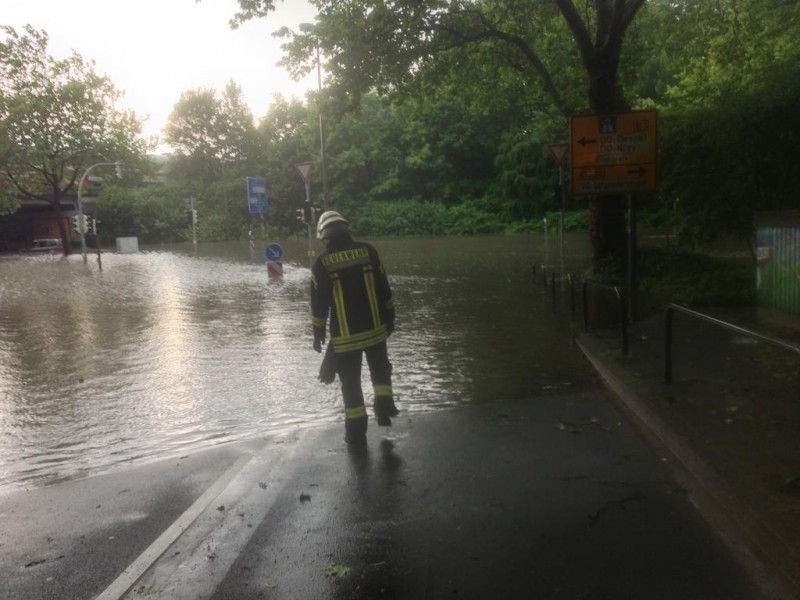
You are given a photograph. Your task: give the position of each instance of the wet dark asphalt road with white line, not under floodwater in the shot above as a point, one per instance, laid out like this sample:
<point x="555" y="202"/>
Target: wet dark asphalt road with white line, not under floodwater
<point x="555" y="497"/>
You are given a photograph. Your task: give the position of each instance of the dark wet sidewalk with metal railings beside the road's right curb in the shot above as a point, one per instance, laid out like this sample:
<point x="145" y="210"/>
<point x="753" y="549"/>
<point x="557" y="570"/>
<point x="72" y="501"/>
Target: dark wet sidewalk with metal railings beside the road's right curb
<point x="728" y="424"/>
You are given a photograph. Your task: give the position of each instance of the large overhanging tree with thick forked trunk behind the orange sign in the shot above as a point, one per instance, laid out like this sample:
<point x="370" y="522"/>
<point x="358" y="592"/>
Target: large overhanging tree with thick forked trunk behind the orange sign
<point x="372" y="44"/>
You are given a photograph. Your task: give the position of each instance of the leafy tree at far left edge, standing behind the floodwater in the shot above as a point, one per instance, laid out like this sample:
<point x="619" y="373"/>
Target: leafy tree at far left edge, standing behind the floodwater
<point x="57" y="118"/>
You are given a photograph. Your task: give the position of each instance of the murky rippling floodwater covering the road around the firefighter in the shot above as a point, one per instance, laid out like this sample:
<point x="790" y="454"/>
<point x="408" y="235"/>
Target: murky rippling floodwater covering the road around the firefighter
<point x="170" y="350"/>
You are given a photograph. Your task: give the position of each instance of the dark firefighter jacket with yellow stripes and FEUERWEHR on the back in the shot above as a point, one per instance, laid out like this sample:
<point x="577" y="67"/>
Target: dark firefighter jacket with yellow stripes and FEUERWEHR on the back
<point x="348" y="281"/>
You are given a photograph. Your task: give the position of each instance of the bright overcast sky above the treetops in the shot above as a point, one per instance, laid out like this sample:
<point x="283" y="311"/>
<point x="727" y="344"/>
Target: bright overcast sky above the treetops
<point x="154" y="50"/>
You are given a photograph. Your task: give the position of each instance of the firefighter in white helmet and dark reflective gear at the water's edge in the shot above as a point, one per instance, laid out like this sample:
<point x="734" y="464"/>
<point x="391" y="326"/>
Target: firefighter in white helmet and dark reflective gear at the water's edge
<point x="349" y="282"/>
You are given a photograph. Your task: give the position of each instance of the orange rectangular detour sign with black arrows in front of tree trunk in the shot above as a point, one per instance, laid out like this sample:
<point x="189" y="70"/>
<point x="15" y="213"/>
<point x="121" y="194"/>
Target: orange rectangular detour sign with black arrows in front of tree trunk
<point x="614" y="153"/>
